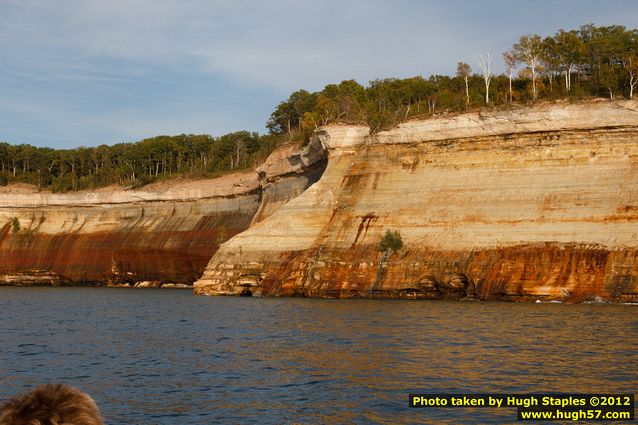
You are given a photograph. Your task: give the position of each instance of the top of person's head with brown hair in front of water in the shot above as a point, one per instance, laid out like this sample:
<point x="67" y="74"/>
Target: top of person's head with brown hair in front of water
<point x="51" y="404"/>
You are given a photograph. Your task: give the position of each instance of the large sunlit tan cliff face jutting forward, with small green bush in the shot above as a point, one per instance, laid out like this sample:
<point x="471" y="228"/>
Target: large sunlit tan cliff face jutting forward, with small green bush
<point x="538" y="203"/>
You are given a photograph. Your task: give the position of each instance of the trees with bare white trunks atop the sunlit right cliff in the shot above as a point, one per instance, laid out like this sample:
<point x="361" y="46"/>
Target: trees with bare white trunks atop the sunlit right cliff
<point x="578" y="64"/>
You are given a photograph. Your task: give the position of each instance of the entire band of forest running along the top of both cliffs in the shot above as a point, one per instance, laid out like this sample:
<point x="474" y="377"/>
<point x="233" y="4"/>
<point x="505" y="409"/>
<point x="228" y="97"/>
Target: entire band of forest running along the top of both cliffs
<point x="575" y="65"/>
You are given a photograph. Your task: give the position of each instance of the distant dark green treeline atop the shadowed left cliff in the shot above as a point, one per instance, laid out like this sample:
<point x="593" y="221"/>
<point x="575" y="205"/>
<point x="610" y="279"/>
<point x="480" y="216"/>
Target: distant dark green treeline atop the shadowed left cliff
<point x="132" y="164"/>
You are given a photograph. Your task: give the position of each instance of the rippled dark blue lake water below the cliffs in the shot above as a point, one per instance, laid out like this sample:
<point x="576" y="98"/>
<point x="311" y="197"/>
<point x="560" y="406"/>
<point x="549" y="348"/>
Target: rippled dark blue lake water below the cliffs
<point x="167" y="357"/>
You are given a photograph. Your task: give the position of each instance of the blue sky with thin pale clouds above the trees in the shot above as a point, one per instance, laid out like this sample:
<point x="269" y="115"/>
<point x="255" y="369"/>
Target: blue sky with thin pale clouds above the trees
<point x="84" y="73"/>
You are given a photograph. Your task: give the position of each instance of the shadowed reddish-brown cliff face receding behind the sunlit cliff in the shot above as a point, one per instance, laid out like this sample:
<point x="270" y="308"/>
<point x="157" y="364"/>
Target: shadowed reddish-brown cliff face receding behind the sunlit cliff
<point x="165" y="233"/>
